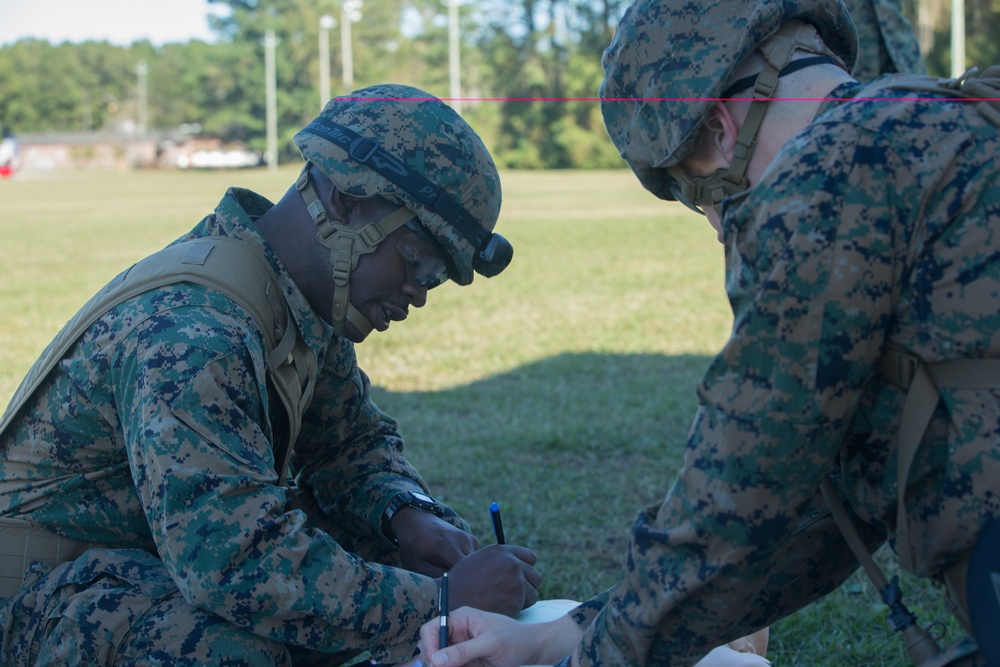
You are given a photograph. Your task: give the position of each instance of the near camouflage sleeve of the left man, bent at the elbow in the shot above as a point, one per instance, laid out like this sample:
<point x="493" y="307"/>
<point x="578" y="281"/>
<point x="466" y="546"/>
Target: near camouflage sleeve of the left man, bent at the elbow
<point x="194" y="413"/>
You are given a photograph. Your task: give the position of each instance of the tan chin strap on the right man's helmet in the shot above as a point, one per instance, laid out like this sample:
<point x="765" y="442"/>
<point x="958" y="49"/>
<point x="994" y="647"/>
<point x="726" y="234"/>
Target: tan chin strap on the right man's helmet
<point x="778" y="52"/>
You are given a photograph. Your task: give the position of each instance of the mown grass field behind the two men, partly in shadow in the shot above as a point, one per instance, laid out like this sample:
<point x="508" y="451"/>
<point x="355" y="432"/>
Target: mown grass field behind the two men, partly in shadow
<point x="562" y="389"/>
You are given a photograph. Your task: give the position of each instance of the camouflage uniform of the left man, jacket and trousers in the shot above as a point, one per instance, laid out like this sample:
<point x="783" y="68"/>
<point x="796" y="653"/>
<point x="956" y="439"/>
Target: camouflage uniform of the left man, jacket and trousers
<point x="153" y="438"/>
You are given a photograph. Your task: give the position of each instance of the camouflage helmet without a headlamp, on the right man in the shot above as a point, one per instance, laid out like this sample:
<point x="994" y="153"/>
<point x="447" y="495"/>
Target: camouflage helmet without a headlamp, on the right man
<point x="669" y="63"/>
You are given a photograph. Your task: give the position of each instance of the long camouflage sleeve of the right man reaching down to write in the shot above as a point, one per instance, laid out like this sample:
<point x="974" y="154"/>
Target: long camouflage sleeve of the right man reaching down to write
<point x="813" y="257"/>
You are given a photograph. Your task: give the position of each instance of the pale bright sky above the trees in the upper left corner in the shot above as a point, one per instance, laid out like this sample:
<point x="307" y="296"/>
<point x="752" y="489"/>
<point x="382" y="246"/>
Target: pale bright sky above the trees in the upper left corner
<point x="117" y="21"/>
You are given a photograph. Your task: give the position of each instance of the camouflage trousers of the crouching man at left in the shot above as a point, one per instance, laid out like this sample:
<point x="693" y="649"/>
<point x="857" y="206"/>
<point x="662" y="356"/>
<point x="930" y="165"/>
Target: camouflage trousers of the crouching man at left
<point x="121" y="607"/>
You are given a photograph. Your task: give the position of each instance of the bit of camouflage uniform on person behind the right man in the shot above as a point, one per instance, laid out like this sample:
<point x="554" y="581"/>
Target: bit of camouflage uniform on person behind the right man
<point x="886" y="38"/>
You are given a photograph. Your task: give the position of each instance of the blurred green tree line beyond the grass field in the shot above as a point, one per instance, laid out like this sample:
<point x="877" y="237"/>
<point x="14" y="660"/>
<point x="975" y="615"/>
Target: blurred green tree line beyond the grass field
<point x="530" y="70"/>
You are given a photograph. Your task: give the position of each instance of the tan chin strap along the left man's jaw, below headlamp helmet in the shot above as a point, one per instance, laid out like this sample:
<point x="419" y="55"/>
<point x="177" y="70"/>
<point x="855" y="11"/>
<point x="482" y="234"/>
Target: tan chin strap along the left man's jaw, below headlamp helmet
<point x="346" y="245"/>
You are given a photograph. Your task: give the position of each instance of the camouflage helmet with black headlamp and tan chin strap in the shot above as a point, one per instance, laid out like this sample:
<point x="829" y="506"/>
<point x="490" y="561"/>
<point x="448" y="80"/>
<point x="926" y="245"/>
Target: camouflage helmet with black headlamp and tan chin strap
<point x="411" y="148"/>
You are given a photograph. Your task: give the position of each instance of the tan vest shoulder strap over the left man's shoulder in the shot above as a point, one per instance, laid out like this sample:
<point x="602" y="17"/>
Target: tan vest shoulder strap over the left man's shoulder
<point x="229" y="266"/>
